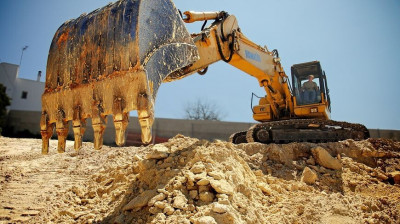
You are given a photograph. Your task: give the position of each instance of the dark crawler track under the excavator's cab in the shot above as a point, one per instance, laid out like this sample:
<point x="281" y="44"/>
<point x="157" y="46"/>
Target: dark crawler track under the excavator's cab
<point x="301" y="130"/>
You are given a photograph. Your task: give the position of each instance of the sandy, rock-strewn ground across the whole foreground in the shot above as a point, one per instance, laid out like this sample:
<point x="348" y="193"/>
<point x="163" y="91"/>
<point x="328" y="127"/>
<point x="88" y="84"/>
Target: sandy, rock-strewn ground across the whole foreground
<point x="187" y="180"/>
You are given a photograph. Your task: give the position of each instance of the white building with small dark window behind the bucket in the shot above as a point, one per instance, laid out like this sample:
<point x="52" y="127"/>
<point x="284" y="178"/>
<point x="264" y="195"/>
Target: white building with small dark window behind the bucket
<point x="25" y="94"/>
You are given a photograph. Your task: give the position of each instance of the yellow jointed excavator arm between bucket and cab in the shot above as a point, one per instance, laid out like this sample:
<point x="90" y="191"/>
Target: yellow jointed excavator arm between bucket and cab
<point x="223" y="40"/>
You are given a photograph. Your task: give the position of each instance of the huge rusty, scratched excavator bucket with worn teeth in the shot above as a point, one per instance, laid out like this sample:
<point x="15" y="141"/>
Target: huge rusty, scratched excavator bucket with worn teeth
<point x="110" y="62"/>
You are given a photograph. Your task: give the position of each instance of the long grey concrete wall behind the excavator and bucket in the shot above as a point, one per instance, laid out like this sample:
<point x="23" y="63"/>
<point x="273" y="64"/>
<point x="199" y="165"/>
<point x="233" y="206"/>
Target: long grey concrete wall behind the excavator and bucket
<point x="162" y="127"/>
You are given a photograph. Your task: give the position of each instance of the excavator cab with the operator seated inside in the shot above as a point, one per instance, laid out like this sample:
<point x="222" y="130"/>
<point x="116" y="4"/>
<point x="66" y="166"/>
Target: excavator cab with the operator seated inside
<point x="310" y="90"/>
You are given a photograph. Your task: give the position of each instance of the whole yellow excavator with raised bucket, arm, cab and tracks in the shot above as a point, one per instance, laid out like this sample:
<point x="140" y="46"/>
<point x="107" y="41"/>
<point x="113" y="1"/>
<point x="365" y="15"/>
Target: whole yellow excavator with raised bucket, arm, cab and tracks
<point x="113" y="60"/>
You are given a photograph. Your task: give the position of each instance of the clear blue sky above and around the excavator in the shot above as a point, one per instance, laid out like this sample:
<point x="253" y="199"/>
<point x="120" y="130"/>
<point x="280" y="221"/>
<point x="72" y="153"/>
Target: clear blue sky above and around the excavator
<point x="356" y="41"/>
